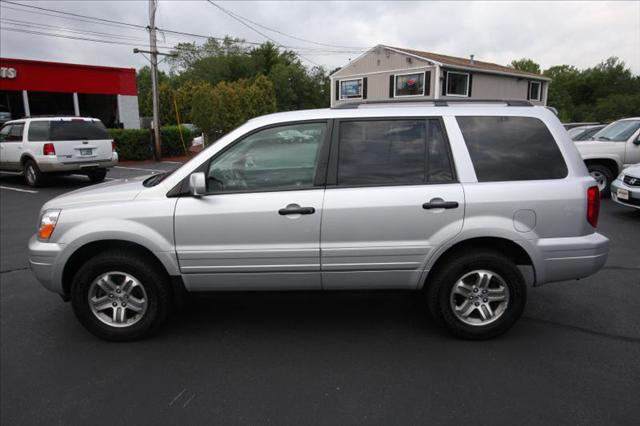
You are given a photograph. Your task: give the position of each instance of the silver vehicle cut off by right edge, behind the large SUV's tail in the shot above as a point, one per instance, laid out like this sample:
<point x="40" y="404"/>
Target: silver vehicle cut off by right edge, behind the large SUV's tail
<point x="610" y="150"/>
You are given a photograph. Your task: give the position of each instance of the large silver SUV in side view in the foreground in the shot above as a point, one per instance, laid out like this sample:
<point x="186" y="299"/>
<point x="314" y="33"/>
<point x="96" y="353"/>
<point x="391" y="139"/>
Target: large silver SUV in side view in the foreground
<point x="467" y="203"/>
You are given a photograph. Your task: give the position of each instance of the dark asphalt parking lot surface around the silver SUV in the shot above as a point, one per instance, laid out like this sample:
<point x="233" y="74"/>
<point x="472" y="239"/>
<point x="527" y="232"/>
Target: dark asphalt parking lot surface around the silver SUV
<point x="320" y="358"/>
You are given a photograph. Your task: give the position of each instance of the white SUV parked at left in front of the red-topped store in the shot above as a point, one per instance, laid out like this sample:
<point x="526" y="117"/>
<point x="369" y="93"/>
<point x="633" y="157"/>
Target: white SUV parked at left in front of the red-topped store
<point x="38" y="147"/>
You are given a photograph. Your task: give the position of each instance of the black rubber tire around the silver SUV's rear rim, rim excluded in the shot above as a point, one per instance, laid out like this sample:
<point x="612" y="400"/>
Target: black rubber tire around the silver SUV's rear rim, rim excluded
<point x="440" y="285"/>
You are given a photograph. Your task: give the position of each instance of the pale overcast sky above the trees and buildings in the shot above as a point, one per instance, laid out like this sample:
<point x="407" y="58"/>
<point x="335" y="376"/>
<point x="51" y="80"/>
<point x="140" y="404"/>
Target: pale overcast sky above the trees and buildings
<point x="551" y="33"/>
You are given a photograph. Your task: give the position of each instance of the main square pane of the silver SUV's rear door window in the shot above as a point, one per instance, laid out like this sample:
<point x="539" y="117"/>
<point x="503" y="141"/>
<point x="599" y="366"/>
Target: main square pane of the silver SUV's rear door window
<point x="382" y="152"/>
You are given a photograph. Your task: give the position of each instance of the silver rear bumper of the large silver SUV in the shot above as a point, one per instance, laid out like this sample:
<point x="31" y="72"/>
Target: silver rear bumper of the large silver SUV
<point x="571" y="258"/>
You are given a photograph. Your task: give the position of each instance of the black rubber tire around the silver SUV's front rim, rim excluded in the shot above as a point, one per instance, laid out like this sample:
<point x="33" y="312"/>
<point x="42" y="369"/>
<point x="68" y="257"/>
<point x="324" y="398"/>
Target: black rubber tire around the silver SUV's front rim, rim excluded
<point x="154" y="281"/>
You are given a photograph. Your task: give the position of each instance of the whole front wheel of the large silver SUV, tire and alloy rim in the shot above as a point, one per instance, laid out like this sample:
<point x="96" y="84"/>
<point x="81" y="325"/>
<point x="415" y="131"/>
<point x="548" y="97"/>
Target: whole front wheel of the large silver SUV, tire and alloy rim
<point x="119" y="296"/>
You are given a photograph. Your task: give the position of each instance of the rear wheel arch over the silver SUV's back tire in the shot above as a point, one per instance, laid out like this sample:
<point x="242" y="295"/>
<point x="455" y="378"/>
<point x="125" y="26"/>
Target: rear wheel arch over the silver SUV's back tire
<point x="512" y="250"/>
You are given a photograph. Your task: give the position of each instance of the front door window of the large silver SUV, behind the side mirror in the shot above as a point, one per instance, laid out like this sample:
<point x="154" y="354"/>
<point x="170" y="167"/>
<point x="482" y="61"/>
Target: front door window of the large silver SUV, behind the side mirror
<point x="277" y="158"/>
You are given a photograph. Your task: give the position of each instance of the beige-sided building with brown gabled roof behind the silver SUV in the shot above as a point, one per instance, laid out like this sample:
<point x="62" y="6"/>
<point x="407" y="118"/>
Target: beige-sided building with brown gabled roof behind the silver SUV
<point x="386" y="73"/>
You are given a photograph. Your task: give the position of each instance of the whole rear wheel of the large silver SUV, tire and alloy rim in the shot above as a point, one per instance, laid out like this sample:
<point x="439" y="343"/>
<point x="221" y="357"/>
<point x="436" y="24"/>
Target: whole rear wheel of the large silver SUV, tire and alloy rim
<point x="477" y="295"/>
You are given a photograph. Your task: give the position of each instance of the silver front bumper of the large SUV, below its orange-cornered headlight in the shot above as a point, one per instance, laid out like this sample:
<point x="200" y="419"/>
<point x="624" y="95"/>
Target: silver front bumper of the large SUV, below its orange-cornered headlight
<point x="43" y="260"/>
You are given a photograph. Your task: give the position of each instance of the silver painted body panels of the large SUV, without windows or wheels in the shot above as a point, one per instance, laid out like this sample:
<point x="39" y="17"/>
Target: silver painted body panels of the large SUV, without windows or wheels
<point x="219" y="251"/>
